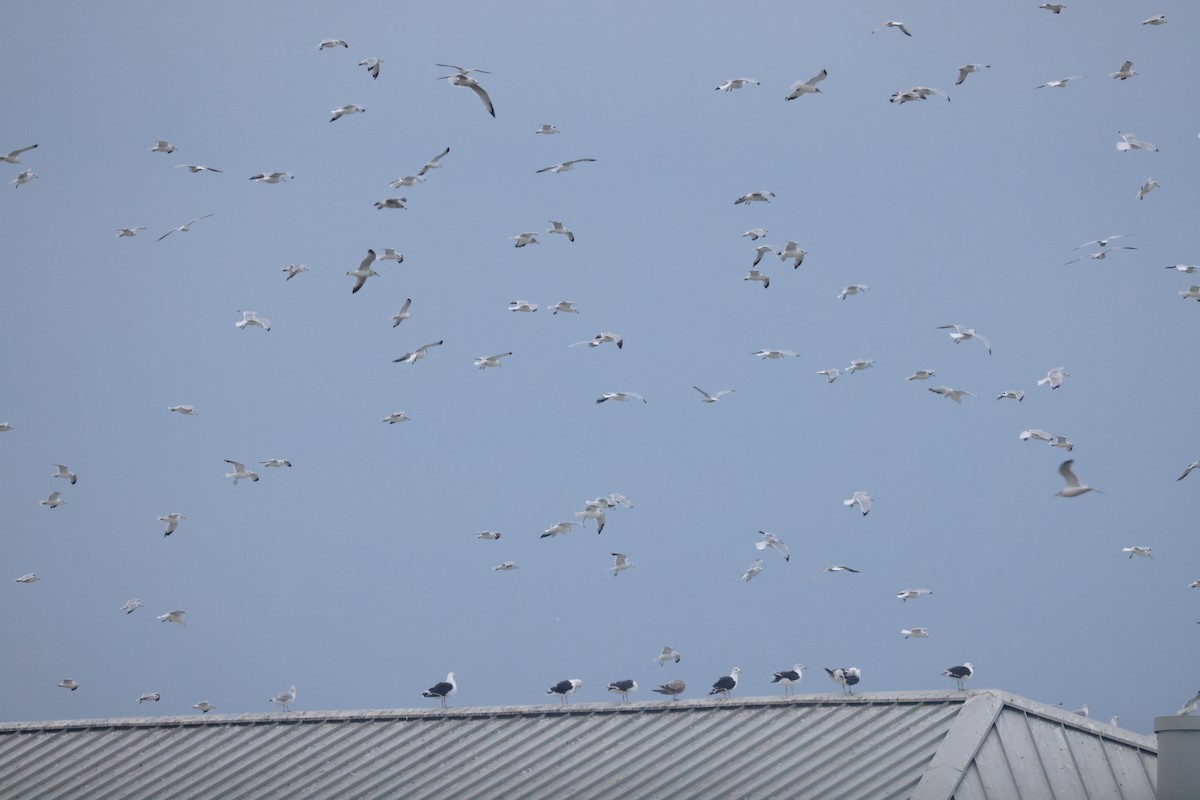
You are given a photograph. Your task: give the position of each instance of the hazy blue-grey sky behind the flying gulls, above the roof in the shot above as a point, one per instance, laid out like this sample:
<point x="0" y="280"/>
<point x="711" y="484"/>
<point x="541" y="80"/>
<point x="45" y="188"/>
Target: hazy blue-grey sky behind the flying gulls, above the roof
<point x="356" y="575"/>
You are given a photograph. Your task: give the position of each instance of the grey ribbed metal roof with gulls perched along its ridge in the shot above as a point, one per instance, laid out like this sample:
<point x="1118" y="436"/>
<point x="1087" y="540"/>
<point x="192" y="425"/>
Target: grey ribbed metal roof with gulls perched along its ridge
<point x="920" y="745"/>
